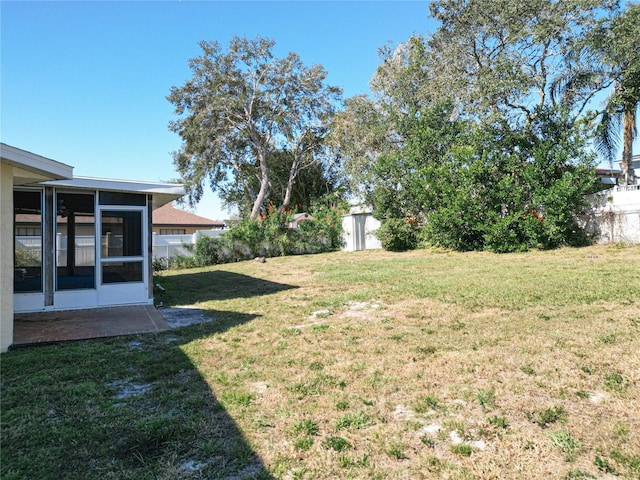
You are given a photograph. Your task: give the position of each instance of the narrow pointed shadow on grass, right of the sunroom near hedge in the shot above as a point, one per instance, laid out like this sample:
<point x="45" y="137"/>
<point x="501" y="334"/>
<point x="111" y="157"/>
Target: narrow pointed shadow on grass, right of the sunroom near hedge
<point x="189" y="288"/>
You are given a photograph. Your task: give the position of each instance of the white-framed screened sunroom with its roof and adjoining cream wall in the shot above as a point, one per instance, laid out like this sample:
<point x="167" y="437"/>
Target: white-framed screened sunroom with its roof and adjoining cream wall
<point x="77" y="242"/>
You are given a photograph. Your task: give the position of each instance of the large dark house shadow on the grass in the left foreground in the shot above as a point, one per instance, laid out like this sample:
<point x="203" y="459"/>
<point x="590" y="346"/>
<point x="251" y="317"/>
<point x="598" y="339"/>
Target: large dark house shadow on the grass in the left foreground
<point x="133" y="407"/>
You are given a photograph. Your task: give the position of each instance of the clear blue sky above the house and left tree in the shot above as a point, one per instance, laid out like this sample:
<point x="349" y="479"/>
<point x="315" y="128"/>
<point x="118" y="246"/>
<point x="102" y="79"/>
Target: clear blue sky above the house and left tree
<point x="85" y="83"/>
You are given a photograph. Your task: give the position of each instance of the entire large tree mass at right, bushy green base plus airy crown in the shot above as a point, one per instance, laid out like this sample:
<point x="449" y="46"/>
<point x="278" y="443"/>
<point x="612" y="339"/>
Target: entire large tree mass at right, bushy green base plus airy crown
<point x="464" y="143"/>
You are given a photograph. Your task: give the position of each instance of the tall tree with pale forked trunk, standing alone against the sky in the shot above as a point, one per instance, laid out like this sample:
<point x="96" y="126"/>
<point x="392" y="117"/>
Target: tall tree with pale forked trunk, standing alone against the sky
<point x="243" y="106"/>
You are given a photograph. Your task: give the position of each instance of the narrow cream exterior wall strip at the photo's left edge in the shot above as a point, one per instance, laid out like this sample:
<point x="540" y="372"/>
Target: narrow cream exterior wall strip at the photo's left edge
<point x="6" y="256"/>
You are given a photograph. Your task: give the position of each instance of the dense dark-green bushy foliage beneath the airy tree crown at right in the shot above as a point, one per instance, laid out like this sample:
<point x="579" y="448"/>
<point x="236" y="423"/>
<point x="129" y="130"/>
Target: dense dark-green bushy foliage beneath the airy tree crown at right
<point x="489" y="188"/>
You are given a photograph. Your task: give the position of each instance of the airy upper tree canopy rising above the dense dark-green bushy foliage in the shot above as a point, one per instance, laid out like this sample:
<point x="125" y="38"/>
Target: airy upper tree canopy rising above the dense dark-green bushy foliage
<point x="490" y="60"/>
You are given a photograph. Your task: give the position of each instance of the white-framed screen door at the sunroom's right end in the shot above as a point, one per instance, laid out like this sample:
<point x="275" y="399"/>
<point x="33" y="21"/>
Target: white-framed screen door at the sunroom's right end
<point x="123" y="272"/>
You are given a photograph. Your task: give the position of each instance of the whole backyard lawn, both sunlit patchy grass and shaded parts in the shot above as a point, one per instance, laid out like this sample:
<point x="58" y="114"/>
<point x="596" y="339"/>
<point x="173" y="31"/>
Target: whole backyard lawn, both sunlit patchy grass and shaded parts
<point x="351" y="365"/>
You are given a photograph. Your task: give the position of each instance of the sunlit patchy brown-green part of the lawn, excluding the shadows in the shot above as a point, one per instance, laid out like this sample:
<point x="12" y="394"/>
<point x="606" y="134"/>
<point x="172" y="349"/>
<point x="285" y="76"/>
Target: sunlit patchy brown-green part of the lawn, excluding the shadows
<point x="436" y="364"/>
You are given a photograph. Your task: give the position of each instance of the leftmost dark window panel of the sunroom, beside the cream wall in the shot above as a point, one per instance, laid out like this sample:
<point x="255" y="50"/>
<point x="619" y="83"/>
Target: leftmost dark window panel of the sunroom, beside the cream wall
<point x="27" y="218"/>
